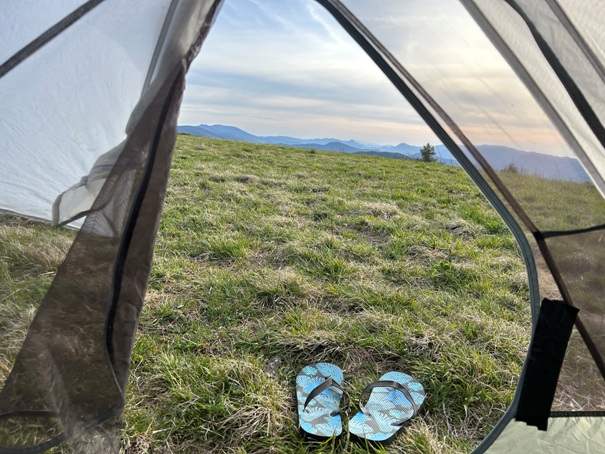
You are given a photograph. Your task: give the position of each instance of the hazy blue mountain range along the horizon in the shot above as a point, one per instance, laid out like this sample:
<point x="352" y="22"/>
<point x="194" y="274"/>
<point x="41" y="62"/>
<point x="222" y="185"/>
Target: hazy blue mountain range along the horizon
<point x="499" y="156"/>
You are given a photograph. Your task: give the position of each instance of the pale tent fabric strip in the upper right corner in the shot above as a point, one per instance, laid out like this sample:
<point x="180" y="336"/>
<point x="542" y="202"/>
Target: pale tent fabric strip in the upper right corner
<point x="514" y="40"/>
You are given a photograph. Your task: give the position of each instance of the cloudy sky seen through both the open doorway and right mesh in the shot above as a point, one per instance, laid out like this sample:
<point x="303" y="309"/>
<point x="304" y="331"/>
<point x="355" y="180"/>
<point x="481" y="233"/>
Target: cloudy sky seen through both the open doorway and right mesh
<point x="275" y="67"/>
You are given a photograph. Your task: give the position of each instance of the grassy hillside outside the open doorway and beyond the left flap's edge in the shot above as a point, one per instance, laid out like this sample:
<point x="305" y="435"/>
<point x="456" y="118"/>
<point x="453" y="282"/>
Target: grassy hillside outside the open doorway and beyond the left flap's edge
<point x="271" y="258"/>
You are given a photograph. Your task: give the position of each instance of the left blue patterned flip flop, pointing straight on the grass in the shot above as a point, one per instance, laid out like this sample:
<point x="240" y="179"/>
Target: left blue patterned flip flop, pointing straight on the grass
<point x="318" y="391"/>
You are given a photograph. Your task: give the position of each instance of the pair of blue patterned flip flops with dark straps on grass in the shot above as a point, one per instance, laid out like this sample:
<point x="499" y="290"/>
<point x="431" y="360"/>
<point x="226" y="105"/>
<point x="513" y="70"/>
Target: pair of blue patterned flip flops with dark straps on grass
<point x="394" y="400"/>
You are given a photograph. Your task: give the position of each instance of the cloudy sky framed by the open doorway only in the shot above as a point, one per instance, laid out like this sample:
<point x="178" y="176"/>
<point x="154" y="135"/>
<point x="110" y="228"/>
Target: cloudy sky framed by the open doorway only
<point x="300" y="70"/>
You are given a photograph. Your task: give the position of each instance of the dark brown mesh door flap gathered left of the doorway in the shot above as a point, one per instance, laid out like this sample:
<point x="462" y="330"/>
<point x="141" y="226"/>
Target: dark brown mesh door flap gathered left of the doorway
<point x="71" y="371"/>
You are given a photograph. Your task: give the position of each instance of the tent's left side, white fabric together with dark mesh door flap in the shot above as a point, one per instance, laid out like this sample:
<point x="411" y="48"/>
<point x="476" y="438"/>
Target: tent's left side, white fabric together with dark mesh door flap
<point x="90" y="100"/>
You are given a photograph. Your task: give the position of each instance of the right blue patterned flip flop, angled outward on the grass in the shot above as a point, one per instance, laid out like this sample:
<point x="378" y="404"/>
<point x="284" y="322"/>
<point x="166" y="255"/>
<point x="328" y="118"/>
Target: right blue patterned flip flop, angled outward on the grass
<point x="394" y="400"/>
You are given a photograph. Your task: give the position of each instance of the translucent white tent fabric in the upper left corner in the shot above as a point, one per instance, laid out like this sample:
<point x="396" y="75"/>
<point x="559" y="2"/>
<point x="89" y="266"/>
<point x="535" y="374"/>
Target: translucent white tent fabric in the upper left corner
<point x="78" y="92"/>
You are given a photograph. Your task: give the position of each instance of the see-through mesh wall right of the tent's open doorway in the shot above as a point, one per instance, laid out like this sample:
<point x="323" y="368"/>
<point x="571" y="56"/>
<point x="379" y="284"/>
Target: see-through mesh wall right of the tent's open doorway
<point x="518" y="81"/>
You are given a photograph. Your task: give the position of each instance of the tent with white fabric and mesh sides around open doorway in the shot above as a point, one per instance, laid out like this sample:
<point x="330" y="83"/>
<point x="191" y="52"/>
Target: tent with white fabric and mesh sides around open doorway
<point x="90" y="95"/>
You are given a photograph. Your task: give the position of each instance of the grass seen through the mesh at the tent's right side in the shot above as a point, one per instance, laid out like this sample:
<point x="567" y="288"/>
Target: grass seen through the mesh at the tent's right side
<point x="560" y="205"/>
